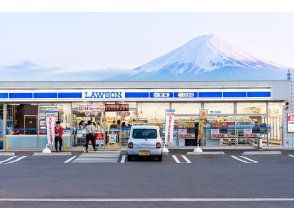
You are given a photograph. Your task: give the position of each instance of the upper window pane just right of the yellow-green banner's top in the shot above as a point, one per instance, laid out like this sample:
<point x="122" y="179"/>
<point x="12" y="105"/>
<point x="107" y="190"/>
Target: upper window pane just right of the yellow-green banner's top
<point x="216" y="108"/>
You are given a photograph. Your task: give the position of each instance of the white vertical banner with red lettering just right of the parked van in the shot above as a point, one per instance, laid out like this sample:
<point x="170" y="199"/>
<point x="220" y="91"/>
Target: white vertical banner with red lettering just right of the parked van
<point x="169" y="126"/>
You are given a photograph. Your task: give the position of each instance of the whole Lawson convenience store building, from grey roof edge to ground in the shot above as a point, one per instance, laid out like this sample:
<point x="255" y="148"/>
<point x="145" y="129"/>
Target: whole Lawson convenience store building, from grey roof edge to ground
<point x="238" y="111"/>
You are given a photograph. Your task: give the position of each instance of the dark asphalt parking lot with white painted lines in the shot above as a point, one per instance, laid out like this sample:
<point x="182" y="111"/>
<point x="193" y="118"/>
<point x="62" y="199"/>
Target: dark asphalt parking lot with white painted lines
<point x="180" y="180"/>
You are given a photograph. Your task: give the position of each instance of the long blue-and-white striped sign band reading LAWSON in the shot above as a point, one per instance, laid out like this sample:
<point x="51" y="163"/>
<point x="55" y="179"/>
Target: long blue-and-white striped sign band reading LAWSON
<point x="134" y="95"/>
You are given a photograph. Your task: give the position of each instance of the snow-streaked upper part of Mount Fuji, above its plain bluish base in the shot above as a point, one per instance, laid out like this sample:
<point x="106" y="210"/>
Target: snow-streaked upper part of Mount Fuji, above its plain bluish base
<point x="206" y="53"/>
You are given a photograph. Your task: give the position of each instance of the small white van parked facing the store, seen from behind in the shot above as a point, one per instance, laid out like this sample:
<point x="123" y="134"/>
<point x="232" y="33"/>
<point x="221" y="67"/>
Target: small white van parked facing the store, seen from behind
<point x="144" y="141"/>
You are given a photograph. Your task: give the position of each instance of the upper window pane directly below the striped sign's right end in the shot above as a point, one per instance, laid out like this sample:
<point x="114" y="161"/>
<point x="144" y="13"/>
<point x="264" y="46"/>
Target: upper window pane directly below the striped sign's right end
<point x="251" y="108"/>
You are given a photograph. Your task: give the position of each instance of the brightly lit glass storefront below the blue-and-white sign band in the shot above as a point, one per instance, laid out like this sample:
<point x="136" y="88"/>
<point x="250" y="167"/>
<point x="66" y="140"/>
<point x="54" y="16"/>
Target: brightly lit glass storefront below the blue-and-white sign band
<point x="228" y="123"/>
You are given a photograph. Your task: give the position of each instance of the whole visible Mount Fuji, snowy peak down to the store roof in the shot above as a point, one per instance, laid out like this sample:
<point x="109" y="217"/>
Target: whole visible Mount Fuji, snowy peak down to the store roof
<point x="207" y="57"/>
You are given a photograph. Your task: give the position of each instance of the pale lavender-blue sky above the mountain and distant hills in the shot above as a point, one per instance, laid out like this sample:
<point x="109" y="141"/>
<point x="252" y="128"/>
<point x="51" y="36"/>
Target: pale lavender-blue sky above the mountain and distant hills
<point x="80" y="41"/>
